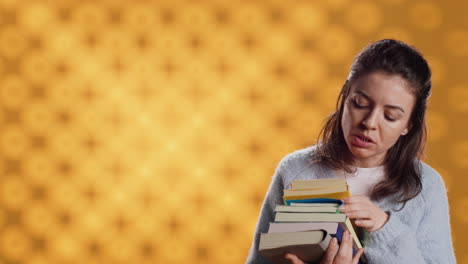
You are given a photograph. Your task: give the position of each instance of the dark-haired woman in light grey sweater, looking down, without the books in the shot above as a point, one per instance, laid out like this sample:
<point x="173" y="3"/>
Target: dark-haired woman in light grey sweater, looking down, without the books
<point x="376" y="140"/>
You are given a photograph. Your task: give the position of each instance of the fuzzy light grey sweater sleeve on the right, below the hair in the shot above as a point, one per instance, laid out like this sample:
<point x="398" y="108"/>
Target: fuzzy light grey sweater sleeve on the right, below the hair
<point x="429" y="241"/>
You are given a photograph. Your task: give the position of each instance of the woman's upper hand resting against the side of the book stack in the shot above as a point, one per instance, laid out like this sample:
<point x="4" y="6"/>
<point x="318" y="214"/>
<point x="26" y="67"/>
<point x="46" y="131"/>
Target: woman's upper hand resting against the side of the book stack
<point x="369" y="216"/>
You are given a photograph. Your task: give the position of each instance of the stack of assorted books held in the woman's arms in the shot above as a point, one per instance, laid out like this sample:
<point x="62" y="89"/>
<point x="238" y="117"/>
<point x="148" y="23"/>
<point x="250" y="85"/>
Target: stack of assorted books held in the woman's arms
<point x="307" y="221"/>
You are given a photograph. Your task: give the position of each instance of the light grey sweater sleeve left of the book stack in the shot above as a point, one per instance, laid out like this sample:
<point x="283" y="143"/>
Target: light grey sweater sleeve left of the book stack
<point x="274" y="196"/>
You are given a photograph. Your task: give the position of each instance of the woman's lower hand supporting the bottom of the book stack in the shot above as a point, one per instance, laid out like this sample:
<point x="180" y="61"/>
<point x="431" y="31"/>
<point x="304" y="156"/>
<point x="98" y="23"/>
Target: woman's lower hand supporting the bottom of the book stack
<point x="335" y="254"/>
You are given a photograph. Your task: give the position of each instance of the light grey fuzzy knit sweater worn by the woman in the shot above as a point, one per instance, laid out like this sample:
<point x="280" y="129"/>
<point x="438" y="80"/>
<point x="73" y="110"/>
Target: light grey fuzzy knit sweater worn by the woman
<point x="420" y="233"/>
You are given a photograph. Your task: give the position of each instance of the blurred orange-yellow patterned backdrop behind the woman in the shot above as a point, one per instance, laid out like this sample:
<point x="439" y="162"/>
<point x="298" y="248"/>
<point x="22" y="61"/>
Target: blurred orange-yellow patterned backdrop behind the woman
<point x="148" y="131"/>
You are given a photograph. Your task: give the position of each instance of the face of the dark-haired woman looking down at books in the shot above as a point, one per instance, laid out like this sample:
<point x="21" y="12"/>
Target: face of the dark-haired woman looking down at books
<point x="376" y="114"/>
